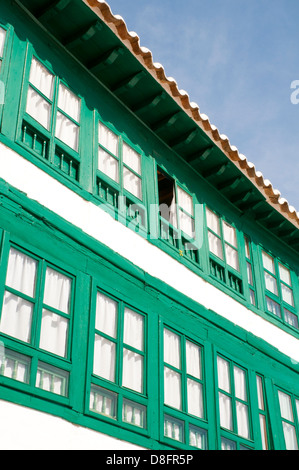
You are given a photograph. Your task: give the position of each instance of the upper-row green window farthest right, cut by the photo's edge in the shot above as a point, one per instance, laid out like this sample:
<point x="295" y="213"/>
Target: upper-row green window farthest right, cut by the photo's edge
<point x="278" y="290"/>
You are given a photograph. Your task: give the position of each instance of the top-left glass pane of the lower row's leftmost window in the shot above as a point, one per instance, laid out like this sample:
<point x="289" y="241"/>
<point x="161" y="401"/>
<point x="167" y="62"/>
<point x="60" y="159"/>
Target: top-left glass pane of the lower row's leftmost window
<point x="21" y="272"/>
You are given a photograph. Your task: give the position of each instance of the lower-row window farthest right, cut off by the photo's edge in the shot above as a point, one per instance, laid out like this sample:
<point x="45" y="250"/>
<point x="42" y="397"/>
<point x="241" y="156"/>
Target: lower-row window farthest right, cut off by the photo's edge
<point x="289" y="410"/>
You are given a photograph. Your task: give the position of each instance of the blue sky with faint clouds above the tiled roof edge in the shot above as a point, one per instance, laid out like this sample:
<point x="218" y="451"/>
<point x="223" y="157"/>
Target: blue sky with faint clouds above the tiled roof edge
<point x="237" y="60"/>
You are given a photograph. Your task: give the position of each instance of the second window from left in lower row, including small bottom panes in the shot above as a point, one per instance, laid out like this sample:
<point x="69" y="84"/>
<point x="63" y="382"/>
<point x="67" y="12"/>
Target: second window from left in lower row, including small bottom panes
<point x="119" y="368"/>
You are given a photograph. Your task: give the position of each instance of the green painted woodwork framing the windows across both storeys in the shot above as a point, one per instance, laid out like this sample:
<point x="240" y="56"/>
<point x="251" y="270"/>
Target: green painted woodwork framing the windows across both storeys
<point x="92" y="266"/>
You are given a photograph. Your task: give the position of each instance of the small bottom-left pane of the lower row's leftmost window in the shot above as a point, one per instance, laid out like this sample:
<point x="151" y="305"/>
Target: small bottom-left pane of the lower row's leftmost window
<point x="15" y="366"/>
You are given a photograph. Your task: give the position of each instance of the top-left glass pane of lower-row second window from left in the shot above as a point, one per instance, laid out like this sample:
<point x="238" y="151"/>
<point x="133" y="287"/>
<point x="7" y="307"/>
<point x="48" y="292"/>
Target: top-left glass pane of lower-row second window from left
<point x="106" y="315"/>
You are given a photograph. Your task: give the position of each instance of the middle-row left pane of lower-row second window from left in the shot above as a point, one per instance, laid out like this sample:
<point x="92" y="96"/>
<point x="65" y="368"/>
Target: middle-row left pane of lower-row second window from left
<point x="104" y="358"/>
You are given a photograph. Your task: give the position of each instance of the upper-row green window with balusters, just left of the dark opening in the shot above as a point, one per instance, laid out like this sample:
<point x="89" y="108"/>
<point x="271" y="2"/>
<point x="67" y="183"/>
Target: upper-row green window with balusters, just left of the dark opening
<point x="119" y="170"/>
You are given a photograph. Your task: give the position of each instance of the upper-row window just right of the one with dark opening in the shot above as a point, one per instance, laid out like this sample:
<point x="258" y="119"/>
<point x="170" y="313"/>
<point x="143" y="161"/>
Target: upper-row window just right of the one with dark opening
<point x="224" y="255"/>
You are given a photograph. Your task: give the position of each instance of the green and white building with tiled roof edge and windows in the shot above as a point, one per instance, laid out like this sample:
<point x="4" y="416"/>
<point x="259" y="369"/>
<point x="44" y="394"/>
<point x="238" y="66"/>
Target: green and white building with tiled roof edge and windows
<point x="149" y="274"/>
